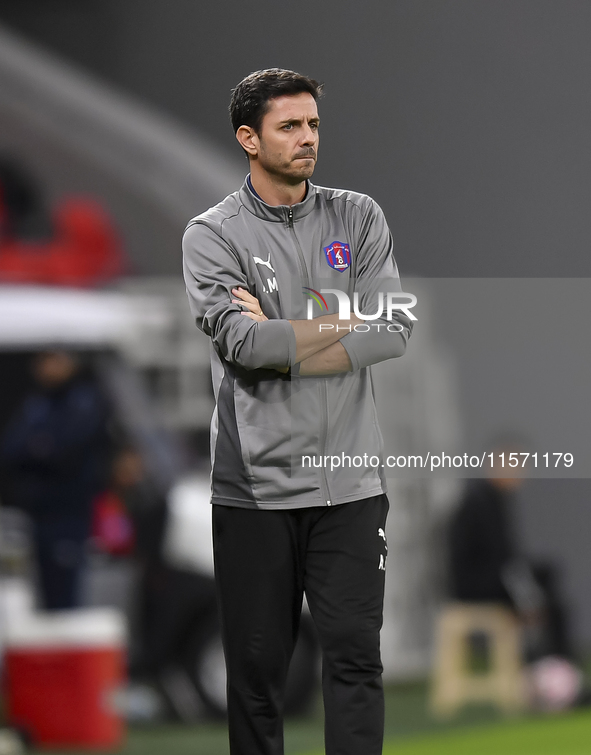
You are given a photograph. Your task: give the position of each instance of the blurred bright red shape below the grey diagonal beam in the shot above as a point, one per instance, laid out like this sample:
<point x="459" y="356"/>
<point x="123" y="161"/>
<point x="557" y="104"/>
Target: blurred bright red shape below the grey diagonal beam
<point x="85" y="250"/>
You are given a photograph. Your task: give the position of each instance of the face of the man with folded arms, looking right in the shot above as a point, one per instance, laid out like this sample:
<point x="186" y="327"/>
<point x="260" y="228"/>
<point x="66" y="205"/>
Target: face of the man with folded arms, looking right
<point x="287" y="146"/>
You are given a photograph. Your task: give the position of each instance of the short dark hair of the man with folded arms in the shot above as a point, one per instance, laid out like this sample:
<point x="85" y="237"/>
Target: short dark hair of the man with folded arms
<point x="250" y="99"/>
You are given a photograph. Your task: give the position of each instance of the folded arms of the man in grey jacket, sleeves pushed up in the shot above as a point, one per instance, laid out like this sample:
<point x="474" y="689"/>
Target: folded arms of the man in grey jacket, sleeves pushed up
<point x="218" y="295"/>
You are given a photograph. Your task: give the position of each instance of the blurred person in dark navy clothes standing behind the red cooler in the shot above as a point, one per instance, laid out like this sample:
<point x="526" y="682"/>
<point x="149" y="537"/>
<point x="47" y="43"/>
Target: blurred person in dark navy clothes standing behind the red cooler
<point x="55" y="452"/>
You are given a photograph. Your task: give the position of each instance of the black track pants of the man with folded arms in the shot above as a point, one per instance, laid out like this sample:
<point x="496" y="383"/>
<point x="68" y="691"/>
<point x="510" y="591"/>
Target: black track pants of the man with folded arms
<point x="264" y="562"/>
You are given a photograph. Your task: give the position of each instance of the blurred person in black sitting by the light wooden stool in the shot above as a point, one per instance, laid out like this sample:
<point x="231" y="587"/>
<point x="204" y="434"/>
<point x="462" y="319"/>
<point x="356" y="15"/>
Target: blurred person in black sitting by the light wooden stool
<point x="487" y="563"/>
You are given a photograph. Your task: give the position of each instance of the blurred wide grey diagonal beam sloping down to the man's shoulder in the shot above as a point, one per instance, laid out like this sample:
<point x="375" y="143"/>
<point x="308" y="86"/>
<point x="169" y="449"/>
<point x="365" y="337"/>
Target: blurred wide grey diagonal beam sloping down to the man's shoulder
<point x="80" y="135"/>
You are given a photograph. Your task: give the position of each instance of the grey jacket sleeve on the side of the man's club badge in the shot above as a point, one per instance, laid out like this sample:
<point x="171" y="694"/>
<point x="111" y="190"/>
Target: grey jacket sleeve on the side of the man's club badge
<point x="376" y="272"/>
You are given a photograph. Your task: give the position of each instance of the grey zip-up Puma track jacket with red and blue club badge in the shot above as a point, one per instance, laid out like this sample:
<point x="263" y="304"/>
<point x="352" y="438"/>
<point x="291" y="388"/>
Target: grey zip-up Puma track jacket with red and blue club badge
<point x="265" y="421"/>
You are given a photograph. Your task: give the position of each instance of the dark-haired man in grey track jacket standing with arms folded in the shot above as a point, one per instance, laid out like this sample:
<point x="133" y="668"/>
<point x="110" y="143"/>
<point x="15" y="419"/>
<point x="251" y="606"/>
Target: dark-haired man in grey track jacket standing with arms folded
<point x="291" y="391"/>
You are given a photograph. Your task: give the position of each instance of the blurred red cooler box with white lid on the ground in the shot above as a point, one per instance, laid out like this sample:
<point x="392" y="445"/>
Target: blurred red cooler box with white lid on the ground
<point x="62" y="674"/>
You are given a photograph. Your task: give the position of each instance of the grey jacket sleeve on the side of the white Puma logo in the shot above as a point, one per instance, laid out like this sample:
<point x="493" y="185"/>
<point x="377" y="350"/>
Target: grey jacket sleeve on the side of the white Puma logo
<point x="212" y="270"/>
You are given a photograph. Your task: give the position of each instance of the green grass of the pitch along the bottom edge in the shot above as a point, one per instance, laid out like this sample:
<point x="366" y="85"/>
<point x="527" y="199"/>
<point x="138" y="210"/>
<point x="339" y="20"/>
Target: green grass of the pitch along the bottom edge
<point x="410" y="730"/>
